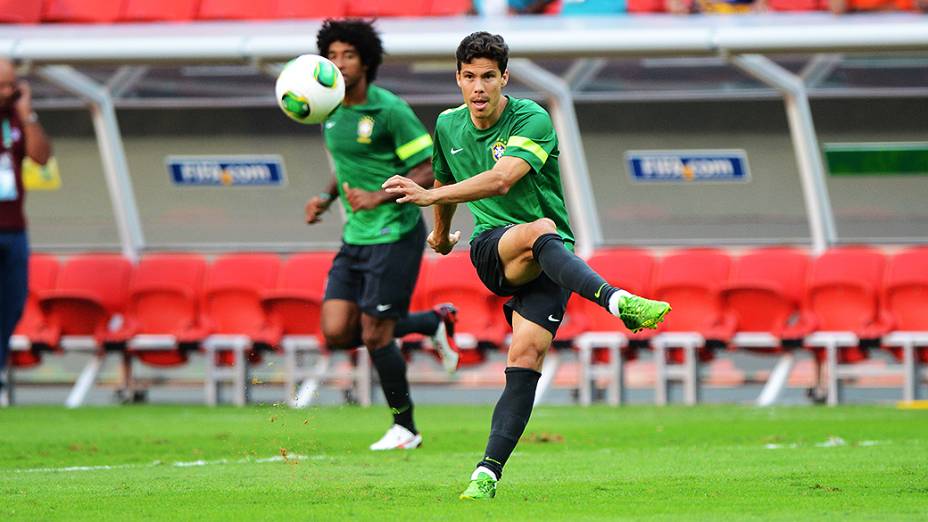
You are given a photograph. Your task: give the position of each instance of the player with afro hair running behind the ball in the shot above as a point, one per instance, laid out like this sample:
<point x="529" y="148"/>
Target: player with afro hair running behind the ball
<point x="375" y="135"/>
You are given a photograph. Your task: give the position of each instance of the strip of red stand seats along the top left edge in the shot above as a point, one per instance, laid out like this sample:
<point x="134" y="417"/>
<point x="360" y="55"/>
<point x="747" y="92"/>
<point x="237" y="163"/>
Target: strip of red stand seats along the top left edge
<point x="110" y="11"/>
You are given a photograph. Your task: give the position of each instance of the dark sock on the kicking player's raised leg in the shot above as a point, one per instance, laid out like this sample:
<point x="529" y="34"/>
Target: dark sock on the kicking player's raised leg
<point x="569" y="271"/>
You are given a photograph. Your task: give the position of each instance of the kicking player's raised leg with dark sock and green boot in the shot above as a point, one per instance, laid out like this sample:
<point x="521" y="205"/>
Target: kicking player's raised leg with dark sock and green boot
<point x="571" y="272"/>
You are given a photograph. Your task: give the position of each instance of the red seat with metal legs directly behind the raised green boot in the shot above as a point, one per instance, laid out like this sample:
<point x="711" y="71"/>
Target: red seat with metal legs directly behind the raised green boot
<point x="604" y="346"/>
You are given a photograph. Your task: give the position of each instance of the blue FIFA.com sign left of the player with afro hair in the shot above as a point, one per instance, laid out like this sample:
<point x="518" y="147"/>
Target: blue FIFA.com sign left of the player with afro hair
<point x="227" y="171"/>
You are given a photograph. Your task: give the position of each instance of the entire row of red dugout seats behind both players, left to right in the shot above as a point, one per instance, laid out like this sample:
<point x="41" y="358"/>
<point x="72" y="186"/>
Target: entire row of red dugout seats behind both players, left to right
<point x="779" y="291"/>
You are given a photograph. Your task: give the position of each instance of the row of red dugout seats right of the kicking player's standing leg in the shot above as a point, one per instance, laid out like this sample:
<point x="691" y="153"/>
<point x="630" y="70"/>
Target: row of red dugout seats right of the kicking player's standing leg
<point x="781" y="292"/>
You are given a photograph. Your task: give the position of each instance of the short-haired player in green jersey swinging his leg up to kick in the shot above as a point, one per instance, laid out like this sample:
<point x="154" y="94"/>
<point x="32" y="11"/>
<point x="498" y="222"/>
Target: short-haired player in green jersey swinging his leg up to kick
<point x="499" y="155"/>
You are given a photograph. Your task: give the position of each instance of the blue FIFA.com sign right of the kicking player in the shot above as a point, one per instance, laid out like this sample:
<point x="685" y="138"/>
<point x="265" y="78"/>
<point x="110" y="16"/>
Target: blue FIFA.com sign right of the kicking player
<point x="688" y="166"/>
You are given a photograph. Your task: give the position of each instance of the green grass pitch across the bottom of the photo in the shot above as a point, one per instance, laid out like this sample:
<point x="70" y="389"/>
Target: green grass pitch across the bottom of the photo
<point x="703" y="463"/>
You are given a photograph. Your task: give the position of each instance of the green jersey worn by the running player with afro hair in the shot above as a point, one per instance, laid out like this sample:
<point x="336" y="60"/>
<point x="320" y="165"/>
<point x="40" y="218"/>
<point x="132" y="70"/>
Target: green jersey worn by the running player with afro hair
<point x="370" y="143"/>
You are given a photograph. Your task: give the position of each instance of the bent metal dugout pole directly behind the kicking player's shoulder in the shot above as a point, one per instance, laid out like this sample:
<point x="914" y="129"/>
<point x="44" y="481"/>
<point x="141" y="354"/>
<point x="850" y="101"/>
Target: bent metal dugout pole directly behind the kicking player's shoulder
<point x="577" y="187"/>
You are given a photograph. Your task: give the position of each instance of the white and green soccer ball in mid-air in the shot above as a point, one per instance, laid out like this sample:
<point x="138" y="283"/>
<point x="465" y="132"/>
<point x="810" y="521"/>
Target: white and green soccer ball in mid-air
<point x="309" y="88"/>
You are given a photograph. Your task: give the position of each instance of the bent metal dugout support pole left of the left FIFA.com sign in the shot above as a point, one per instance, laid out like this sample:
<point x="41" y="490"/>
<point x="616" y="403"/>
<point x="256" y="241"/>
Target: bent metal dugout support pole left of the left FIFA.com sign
<point x="112" y="151"/>
